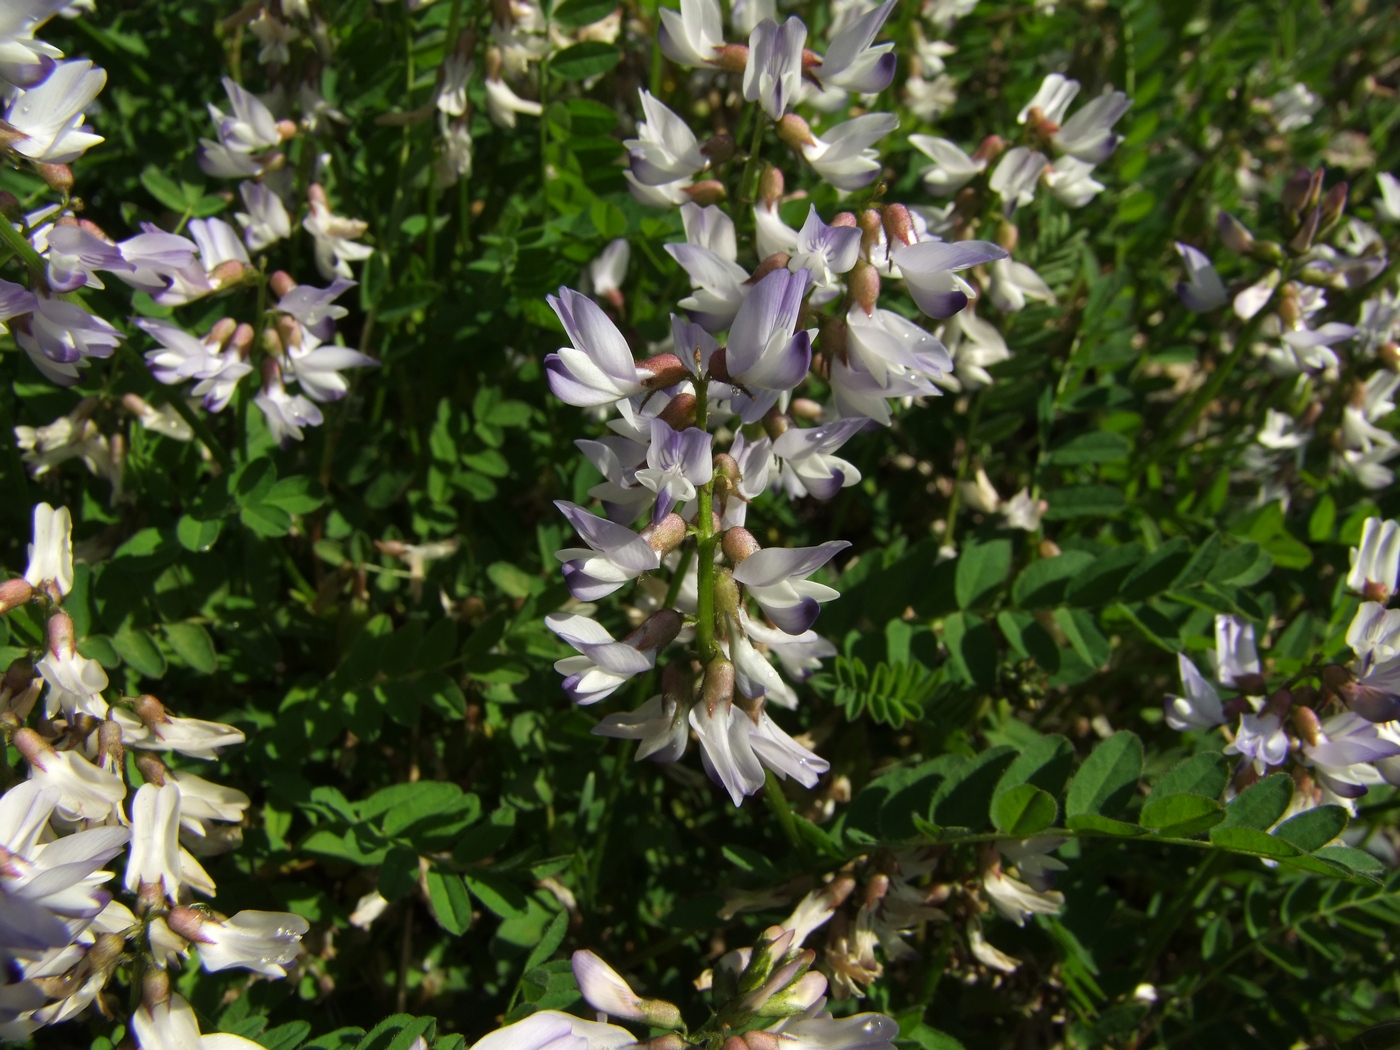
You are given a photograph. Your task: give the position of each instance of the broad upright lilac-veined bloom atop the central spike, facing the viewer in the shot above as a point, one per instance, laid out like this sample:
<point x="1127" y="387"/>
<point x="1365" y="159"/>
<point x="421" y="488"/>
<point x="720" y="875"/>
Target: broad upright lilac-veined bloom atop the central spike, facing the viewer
<point x="765" y="355"/>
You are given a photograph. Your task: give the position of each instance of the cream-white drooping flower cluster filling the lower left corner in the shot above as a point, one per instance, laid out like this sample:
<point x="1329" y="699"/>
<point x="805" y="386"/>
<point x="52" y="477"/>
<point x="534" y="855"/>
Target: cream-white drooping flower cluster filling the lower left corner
<point x="65" y="934"/>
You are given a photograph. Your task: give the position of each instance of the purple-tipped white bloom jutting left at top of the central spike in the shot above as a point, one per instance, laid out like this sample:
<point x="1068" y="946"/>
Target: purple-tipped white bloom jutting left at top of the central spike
<point x="598" y="369"/>
